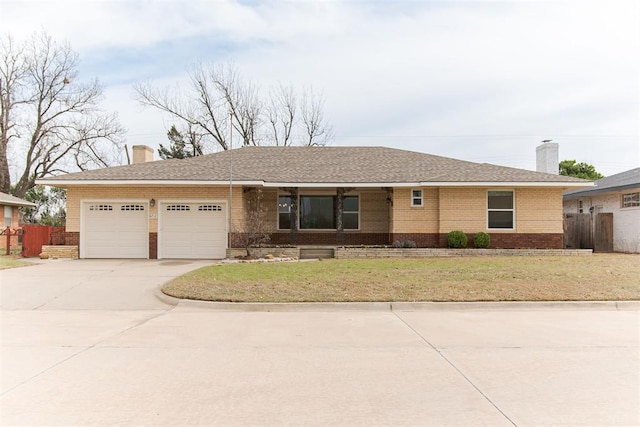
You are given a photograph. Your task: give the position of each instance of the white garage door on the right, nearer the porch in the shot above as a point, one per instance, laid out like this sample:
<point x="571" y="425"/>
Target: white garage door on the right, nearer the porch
<point x="195" y="230"/>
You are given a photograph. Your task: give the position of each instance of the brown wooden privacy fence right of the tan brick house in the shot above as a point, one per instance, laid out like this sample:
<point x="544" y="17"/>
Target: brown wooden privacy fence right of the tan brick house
<point x="589" y="231"/>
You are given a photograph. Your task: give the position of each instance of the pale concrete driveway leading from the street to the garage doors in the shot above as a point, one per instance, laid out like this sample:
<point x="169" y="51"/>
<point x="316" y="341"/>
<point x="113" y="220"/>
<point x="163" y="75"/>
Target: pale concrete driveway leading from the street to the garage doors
<point x="65" y="284"/>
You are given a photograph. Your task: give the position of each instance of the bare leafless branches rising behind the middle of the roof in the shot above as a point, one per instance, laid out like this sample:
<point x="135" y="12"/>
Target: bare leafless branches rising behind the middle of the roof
<point x="218" y="94"/>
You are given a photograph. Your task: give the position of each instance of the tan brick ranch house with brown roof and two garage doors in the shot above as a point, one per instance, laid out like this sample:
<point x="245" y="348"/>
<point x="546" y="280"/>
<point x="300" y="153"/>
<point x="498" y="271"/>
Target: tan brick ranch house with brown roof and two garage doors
<point x="312" y="195"/>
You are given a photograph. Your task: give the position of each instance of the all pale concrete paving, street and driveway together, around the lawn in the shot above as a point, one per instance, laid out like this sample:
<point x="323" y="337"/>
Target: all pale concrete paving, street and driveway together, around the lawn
<point x="87" y="343"/>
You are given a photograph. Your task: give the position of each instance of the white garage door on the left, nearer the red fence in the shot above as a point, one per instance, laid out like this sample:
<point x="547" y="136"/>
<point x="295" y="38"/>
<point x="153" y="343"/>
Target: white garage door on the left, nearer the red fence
<point x="115" y="230"/>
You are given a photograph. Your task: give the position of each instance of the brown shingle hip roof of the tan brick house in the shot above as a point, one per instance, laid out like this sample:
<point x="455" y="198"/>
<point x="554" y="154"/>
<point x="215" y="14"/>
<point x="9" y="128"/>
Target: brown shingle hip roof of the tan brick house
<point x="300" y="165"/>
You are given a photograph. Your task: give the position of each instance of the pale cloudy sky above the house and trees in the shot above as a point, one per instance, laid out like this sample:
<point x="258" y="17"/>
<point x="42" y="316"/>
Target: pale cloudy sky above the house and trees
<point x="483" y="81"/>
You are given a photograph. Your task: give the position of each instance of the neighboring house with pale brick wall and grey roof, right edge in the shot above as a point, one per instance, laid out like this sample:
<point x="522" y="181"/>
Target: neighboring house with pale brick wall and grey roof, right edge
<point x="618" y="195"/>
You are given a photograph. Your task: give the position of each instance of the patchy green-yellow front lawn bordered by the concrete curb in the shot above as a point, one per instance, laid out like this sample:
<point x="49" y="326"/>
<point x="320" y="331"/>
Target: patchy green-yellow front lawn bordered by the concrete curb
<point x="545" y="278"/>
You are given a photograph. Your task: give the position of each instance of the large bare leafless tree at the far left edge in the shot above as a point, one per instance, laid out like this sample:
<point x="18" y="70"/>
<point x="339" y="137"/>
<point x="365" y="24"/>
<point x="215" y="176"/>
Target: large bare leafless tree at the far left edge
<point x="51" y="117"/>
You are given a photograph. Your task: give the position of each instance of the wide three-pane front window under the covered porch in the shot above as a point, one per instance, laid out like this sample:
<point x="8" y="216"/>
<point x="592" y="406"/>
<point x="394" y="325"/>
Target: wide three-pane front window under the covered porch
<point x="319" y="212"/>
